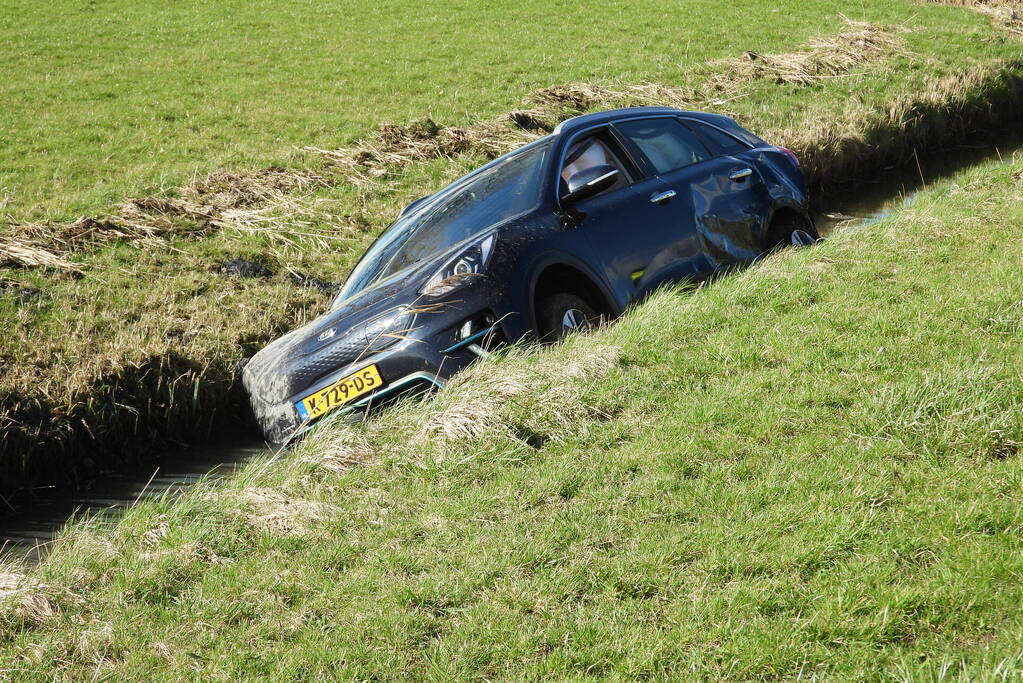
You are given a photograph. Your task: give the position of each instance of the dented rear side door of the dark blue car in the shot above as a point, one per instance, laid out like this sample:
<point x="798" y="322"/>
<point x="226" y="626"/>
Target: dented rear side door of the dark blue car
<point x="718" y="203"/>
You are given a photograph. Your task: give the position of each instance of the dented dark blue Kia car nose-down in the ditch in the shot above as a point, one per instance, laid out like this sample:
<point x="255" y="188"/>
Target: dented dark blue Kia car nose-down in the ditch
<point x="545" y="241"/>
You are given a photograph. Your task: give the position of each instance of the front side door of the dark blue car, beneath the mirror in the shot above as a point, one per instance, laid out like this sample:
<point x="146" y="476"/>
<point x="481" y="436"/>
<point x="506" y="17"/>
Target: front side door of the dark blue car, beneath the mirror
<point x="624" y="229"/>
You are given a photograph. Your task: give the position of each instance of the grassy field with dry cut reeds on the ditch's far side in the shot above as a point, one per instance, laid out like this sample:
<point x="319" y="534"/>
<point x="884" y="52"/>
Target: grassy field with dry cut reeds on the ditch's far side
<point x="108" y="102"/>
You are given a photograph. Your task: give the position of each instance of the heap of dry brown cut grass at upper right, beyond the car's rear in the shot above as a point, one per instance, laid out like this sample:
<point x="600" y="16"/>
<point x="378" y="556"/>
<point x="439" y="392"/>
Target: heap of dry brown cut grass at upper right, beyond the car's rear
<point x="824" y="58"/>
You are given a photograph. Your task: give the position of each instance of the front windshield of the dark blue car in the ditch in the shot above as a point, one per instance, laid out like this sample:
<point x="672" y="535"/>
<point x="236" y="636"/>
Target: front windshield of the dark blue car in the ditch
<point x="497" y="193"/>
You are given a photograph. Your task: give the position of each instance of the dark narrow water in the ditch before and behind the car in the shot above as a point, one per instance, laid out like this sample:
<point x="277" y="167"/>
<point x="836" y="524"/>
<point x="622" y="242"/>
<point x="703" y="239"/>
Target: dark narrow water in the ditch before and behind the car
<point x="26" y="534"/>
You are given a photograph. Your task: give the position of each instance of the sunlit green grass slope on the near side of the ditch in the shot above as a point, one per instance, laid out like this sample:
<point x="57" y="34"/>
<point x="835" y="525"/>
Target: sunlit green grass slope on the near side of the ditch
<point x="809" y="468"/>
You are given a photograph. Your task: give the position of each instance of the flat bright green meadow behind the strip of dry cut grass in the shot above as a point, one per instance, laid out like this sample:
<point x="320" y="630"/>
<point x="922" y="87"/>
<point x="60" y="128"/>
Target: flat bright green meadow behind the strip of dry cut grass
<point x="118" y="99"/>
